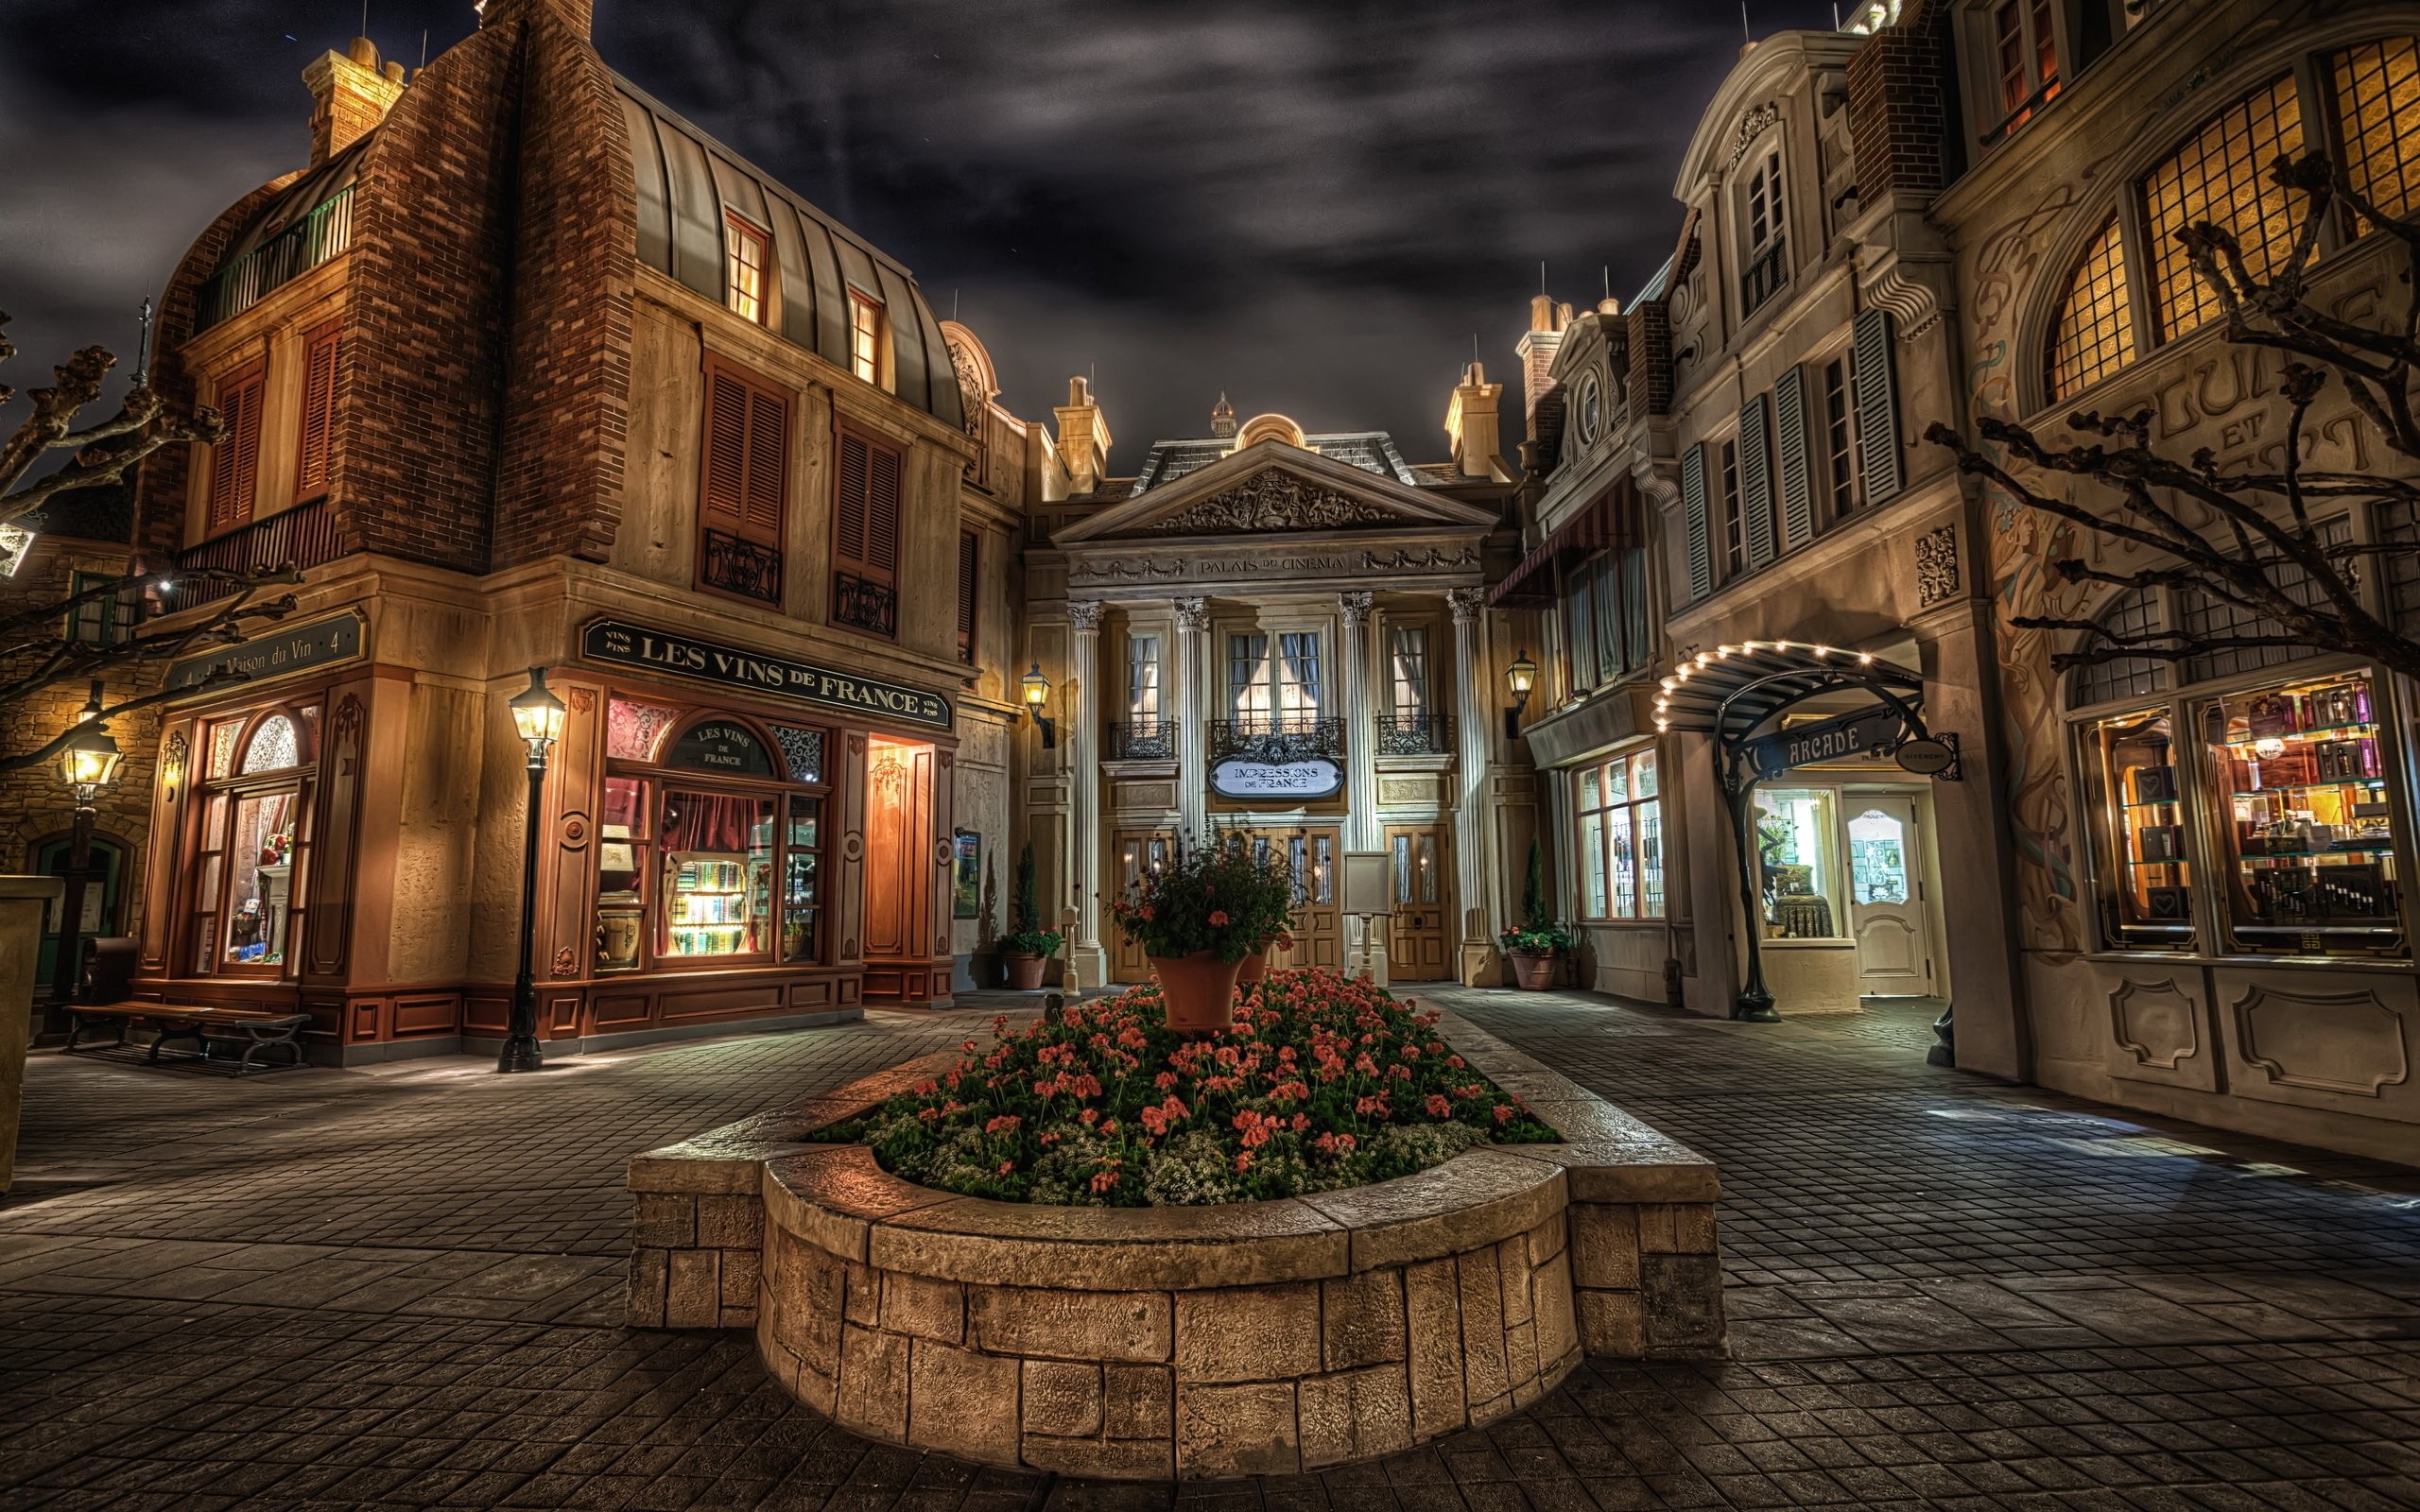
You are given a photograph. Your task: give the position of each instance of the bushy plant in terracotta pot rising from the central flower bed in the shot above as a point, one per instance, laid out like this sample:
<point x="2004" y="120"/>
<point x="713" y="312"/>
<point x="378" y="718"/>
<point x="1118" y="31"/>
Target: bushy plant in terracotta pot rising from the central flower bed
<point x="1199" y="918"/>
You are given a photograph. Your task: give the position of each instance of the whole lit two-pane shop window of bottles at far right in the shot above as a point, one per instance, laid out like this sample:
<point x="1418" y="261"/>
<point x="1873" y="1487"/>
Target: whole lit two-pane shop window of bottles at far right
<point x="2237" y="804"/>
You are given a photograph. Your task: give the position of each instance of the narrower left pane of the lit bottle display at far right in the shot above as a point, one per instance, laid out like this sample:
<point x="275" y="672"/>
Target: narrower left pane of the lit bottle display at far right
<point x="2140" y="833"/>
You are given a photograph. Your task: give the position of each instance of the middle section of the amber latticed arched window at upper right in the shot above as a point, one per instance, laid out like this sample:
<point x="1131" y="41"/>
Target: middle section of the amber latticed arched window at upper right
<point x="2223" y="178"/>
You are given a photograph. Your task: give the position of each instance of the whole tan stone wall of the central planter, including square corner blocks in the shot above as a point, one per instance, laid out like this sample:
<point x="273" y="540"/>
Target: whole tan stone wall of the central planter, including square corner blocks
<point x="1185" y="1341"/>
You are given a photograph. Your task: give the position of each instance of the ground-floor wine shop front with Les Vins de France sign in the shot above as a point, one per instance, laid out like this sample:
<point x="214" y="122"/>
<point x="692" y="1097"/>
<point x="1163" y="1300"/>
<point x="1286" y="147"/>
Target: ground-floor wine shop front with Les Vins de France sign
<point x="722" y="838"/>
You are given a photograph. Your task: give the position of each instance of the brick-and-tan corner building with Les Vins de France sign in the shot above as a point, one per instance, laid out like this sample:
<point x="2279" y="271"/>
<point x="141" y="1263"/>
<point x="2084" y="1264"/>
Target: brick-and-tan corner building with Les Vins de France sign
<point x="526" y="371"/>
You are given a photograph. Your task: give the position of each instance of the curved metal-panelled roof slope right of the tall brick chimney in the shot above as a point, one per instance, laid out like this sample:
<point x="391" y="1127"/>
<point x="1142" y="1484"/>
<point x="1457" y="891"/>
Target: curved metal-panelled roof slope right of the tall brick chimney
<point x="688" y="183"/>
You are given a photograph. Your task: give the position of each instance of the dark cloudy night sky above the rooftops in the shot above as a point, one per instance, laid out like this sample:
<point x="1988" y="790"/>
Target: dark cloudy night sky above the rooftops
<point x="1308" y="207"/>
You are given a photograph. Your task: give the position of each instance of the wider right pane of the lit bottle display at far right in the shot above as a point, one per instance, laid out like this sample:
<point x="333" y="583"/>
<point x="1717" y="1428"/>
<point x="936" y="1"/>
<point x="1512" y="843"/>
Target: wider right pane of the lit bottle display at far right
<point x="2310" y="836"/>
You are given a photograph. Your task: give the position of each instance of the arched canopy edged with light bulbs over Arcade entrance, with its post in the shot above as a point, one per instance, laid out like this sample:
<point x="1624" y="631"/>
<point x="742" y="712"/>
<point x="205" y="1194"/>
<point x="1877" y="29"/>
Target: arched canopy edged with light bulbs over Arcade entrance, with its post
<point x="1739" y="696"/>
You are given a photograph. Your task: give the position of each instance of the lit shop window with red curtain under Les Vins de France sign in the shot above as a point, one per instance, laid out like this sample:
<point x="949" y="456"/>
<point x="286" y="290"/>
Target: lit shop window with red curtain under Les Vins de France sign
<point x="710" y="846"/>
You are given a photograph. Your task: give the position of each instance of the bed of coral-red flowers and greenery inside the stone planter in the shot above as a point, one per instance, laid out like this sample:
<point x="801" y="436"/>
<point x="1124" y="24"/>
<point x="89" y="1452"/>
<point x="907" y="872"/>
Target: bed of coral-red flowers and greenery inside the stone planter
<point x="1320" y="1085"/>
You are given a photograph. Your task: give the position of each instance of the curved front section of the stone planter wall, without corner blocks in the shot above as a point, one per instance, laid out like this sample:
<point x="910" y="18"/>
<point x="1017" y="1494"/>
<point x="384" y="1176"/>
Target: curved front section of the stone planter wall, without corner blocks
<point x="1168" y="1341"/>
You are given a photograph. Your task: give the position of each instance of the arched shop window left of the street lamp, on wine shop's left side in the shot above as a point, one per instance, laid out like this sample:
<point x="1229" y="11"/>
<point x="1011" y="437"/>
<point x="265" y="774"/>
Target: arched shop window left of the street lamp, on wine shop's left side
<point x="253" y="841"/>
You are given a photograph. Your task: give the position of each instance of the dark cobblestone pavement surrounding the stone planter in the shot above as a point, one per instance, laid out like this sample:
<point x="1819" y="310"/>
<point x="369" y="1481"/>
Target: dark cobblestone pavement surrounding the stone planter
<point x="401" y="1288"/>
